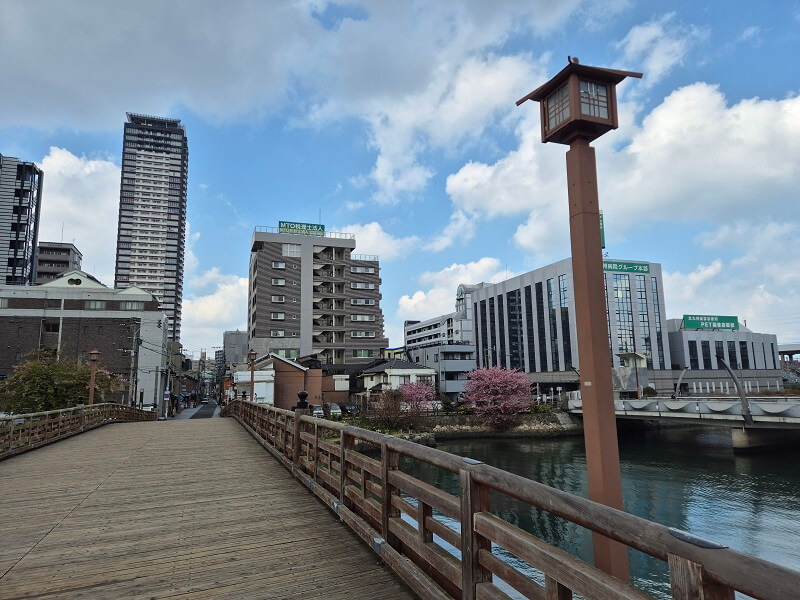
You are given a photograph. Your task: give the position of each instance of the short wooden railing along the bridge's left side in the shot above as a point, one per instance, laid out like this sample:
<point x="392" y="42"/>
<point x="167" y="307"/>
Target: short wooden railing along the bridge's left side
<point x="20" y="433"/>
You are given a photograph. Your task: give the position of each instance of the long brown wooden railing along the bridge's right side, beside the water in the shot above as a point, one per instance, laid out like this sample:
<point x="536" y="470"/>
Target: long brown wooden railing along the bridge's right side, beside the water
<point x="339" y="464"/>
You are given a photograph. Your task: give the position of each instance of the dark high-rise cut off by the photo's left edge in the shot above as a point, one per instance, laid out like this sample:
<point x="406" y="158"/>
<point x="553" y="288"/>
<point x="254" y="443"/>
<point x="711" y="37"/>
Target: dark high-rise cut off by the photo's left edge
<point x="20" y="201"/>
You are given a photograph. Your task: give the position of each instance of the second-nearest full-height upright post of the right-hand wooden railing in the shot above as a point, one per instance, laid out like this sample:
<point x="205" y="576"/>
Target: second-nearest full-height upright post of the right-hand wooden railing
<point x="474" y="499"/>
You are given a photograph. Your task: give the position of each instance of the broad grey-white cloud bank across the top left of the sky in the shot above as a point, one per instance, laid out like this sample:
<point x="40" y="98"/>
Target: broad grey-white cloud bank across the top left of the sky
<point x="438" y="88"/>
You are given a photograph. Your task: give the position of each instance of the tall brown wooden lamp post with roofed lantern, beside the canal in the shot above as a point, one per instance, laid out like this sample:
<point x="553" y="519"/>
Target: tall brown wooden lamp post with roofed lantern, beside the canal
<point x="577" y="106"/>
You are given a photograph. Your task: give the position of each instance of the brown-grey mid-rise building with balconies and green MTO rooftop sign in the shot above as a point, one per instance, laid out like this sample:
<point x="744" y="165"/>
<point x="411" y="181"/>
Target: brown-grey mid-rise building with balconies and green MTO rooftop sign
<point x="309" y="294"/>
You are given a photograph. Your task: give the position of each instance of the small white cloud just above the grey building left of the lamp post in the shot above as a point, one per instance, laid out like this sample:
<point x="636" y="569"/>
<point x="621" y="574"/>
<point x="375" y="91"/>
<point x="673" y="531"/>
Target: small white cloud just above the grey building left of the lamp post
<point x="440" y="296"/>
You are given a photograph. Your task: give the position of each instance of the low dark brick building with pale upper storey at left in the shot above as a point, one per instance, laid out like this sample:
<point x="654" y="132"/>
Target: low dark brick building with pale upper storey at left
<point x="74" y="314"/>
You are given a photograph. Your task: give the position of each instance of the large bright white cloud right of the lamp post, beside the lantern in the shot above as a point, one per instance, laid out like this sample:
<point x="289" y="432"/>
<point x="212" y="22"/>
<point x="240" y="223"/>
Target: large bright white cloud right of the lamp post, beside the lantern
<point x="696" y="157"/>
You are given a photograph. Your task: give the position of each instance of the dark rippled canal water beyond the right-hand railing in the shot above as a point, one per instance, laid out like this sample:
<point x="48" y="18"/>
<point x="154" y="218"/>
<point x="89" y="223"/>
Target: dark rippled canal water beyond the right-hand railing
<point x="684" y="478"/>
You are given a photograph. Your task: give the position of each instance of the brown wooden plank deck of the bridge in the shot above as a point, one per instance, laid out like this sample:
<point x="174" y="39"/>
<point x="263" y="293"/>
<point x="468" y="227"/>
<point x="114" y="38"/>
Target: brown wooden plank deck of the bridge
<point x="180" y="509"/>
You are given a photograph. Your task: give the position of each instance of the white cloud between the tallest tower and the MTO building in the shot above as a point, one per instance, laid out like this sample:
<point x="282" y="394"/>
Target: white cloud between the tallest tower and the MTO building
<point x="222" y="307"/>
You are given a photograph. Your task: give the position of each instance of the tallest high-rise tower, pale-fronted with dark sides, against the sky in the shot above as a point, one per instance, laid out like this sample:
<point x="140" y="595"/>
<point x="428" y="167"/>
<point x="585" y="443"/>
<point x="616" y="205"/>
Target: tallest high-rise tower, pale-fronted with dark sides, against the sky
<point x="152" y="212"/>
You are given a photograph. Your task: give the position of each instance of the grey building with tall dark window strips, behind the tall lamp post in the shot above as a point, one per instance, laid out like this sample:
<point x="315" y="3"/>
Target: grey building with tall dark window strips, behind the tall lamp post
<point x="528" y="322"/>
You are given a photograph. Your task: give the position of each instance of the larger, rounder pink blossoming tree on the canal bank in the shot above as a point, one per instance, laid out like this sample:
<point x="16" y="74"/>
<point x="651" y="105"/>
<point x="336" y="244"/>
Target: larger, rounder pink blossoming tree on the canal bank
<point x="497" y="394"/>
